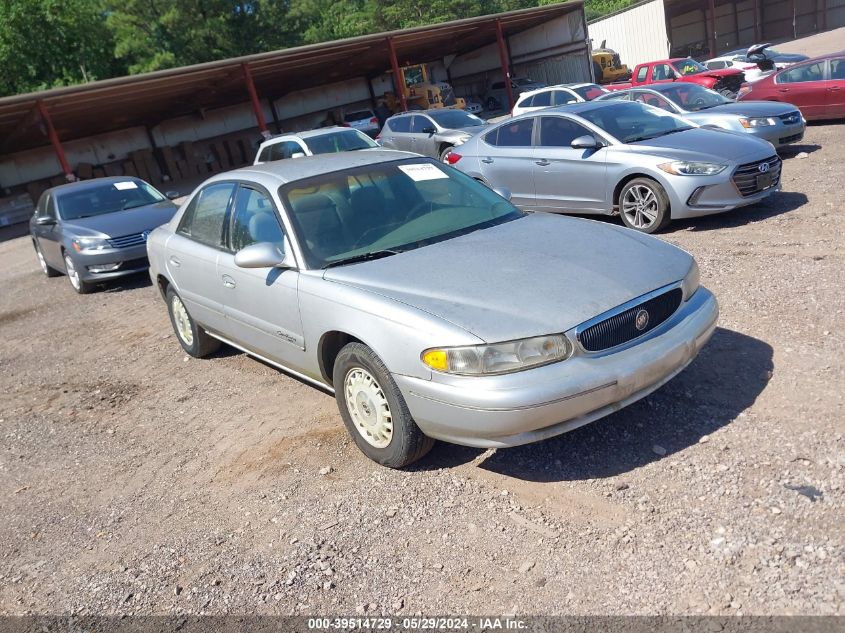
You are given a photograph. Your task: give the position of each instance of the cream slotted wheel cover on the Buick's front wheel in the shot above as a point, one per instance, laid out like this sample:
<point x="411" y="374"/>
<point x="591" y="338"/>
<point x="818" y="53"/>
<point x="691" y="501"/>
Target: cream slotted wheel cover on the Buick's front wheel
<point x="367" y="405"/>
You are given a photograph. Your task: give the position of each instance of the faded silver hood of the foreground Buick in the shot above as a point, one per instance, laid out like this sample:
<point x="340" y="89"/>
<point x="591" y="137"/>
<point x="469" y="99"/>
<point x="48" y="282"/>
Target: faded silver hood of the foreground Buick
<point x="540" y="274"/>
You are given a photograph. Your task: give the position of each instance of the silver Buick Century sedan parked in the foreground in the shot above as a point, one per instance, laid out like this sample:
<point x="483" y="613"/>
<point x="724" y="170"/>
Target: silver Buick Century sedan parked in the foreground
<point x="430" y="305"/>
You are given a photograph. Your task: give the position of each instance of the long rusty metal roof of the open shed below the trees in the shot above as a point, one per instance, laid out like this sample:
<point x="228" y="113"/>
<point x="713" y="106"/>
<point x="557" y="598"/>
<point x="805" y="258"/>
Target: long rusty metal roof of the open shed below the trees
<point x="149" y="98"/>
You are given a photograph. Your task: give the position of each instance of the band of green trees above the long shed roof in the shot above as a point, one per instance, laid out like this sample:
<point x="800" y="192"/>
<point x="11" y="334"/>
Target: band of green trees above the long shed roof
<point x="50" y="43"/>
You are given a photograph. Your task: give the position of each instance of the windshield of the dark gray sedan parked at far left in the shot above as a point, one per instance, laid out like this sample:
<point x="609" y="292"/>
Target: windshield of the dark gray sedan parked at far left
<point x="109" y="197"/>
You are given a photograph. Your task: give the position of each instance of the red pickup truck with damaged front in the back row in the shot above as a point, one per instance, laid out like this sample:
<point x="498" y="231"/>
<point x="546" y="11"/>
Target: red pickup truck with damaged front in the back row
<point x="726" y="80"/>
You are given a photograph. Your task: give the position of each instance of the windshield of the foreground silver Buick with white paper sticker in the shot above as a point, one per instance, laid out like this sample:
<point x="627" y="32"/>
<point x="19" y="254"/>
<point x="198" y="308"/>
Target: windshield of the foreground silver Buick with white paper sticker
<point x="387" y="208"/>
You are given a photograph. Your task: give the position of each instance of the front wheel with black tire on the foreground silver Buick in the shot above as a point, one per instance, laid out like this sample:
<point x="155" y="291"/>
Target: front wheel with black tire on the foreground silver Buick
<point x="374" y="411"/>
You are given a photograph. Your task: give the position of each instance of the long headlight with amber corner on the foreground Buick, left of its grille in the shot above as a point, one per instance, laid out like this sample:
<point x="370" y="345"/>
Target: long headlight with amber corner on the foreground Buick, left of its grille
<point x="499" y="358"/>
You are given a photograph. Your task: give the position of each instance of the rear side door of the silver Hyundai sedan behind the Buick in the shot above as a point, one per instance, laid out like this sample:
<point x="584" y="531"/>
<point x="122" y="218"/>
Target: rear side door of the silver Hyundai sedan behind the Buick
<point x="511" y="165"/>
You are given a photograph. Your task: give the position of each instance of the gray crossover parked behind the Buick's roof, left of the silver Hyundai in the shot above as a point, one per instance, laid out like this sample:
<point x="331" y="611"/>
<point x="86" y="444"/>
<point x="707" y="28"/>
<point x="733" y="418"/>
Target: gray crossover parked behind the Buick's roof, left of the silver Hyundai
<point x="430" y="132"/>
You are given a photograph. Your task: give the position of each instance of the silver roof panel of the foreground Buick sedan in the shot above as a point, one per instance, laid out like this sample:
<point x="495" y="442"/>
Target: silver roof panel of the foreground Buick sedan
<point x="275" y="173"/>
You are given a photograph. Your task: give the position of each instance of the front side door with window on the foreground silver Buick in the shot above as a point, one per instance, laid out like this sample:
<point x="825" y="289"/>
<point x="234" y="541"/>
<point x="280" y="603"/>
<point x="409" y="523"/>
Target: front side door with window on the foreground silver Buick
<point x="261" y="304"/>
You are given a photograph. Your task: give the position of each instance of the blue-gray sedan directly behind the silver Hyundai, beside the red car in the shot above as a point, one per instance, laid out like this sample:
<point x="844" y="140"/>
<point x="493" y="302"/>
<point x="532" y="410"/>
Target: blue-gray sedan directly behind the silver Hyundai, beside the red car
<point x="778" y="123"/>
